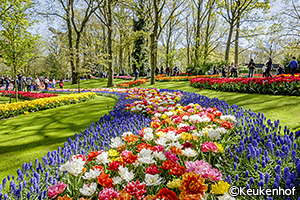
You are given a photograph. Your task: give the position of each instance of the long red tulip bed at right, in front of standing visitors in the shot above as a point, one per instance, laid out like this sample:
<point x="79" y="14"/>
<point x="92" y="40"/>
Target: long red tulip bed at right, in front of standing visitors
<point x="279" y="85"/>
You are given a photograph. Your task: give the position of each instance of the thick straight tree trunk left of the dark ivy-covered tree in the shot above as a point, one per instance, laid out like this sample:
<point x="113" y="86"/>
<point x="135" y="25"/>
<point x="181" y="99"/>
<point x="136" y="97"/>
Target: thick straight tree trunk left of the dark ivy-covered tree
<point x="110" y="82"/>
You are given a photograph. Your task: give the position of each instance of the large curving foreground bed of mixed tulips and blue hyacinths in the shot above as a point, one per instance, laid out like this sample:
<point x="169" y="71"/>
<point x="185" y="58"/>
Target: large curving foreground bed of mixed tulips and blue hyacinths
<point x="164" y="144"/>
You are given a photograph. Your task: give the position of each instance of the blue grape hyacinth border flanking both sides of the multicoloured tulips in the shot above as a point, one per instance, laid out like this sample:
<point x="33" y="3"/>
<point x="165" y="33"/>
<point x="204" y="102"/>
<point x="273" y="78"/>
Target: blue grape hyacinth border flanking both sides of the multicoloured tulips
<point x="261" y="154"/>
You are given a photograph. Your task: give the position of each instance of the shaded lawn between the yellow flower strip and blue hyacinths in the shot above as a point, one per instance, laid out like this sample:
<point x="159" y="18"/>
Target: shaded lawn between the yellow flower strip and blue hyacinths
<point x="27" y="137"/>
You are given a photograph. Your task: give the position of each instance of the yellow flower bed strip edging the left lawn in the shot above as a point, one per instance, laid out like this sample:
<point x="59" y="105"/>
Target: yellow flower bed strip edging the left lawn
<point x="13" y="109"/>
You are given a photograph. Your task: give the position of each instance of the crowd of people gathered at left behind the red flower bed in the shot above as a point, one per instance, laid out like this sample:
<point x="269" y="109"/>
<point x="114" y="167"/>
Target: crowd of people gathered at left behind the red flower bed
<point x="28" y="83"/>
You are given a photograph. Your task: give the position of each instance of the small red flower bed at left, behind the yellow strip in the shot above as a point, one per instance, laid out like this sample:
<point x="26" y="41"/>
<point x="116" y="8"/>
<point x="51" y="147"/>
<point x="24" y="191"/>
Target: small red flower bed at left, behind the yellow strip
<point x="26" y="95"/>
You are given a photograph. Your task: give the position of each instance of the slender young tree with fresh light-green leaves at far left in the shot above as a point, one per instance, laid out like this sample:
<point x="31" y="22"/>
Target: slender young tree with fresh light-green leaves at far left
<point x="16" y="43"/>
